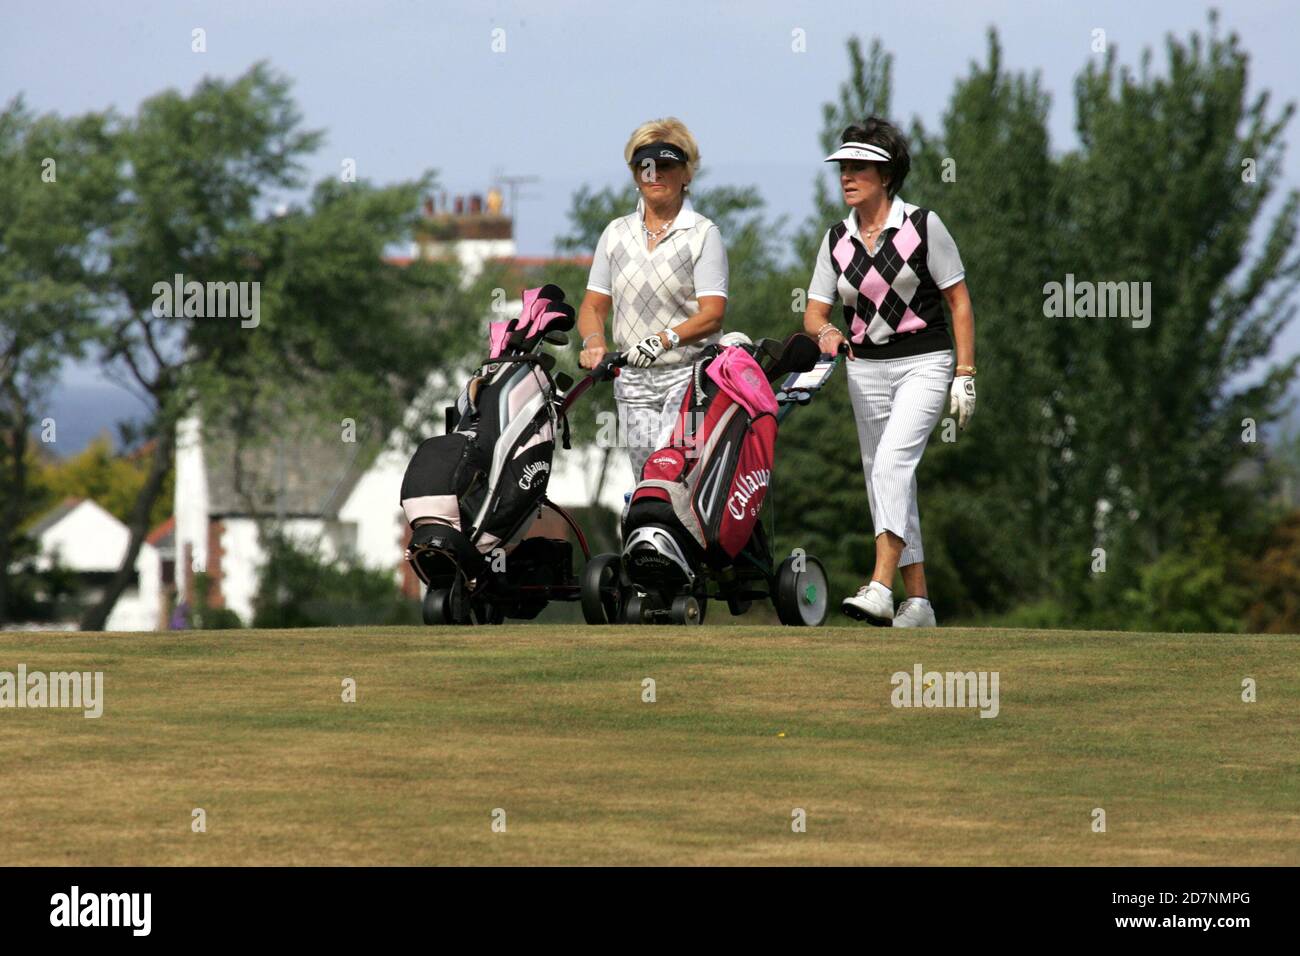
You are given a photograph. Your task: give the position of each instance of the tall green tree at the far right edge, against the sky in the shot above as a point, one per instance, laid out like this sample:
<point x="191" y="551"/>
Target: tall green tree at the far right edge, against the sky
<point x="1169" y="189"/>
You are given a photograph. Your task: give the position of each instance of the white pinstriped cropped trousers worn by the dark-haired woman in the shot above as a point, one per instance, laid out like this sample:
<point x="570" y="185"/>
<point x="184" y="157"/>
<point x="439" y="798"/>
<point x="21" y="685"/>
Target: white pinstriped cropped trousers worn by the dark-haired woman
<point x="896" y="404"/>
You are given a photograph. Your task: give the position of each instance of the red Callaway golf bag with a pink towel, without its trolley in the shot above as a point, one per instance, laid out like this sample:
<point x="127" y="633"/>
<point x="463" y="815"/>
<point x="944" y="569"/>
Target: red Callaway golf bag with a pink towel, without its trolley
<point x="700" y="498"/>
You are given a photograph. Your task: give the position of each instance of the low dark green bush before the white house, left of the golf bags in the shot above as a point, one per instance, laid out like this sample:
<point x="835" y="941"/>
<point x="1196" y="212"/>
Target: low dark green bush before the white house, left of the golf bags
<point x="300" y="590"/>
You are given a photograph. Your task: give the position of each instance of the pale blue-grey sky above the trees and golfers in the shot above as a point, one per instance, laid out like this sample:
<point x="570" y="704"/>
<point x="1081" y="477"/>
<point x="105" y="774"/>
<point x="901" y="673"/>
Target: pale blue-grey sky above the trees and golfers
<point x="402" y="86"/>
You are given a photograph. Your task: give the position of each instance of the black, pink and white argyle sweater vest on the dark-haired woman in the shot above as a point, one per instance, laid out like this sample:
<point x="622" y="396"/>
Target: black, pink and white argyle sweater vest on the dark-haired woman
<point x="892" y="306"/>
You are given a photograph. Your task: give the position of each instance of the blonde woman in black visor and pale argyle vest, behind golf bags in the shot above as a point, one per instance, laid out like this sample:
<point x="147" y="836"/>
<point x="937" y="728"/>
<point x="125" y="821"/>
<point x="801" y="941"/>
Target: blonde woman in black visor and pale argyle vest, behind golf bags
<point x="662" y="272"/>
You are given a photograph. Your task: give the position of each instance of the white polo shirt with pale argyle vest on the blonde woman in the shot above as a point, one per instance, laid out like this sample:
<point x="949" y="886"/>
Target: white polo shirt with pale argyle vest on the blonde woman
<point x="660" y="289"/>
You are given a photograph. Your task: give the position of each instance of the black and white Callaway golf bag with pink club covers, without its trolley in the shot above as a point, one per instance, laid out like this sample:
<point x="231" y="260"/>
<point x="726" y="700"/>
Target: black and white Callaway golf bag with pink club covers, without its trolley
<point x="479" y="487"/>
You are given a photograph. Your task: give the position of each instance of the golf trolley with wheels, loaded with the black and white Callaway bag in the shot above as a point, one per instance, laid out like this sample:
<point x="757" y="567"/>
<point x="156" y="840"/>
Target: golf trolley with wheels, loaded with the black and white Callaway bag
<point x="473" y="495"/>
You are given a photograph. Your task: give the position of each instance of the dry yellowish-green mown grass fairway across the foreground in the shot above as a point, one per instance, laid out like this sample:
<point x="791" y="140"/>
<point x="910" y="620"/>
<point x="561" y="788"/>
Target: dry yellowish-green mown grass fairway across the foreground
<point x="548" y="724"/>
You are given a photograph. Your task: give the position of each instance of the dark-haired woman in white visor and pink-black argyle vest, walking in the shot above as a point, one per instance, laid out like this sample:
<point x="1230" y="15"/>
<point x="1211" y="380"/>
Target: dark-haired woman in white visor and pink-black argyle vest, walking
<point x="892" y="266"/>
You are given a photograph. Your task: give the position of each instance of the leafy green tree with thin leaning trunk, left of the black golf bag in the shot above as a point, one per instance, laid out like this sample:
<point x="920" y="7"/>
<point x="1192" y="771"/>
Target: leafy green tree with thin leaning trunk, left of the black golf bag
<point x="194" y="188"/>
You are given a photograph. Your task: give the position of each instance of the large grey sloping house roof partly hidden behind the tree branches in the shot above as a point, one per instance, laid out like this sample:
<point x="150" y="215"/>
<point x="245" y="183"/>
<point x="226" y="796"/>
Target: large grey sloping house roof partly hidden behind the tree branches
<point x="306" y="474"/>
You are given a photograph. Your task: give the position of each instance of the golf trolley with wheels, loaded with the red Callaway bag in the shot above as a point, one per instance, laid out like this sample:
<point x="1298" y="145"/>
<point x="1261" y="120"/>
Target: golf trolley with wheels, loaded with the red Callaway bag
<point x="692" y="531"/>
